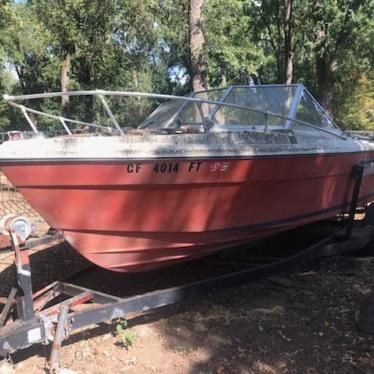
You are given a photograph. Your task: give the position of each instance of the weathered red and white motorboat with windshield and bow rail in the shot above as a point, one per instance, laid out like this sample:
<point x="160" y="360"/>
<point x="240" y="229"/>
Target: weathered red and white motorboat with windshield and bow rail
<point x="201" y="173"/>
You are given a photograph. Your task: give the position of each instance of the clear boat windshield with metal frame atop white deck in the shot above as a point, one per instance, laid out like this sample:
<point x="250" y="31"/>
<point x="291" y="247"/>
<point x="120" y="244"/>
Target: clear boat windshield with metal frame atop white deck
<point x="272" y="105"/>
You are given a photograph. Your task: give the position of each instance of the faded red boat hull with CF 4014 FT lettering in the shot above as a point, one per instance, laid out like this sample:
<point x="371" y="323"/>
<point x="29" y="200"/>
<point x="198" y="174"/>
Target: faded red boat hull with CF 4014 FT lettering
<point x="140" y="215"/>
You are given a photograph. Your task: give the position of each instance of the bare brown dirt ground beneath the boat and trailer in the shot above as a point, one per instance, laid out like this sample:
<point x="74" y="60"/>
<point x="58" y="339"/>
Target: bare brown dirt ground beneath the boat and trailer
<point x="303" y="324"/>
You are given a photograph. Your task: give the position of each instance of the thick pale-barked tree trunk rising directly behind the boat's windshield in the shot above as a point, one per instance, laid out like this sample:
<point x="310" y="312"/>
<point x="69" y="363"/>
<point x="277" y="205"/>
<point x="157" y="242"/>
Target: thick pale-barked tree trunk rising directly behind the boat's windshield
<point x="196" y="41"/>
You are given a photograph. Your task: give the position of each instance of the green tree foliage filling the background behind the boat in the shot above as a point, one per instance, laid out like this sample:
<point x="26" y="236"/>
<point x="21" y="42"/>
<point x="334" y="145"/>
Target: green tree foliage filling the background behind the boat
<point x="143" y="45"/>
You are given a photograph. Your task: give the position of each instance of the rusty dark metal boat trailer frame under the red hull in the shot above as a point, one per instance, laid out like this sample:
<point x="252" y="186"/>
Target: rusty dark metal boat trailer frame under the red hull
<point x="41" y="321"/>
